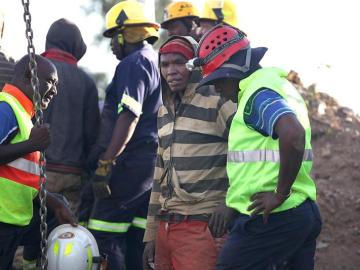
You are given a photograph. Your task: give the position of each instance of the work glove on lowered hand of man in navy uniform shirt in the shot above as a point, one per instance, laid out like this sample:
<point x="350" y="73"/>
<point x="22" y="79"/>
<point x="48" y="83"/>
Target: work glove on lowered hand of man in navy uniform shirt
<point x="100" y="181"/>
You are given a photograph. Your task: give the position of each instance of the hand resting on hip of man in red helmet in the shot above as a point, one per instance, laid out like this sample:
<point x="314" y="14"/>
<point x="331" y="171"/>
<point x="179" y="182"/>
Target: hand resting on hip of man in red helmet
<point x="265" y="202"/>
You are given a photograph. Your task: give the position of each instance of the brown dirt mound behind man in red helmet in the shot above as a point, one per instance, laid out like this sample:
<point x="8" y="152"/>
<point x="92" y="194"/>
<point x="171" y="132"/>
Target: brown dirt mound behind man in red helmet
<point x="336" y="146"/>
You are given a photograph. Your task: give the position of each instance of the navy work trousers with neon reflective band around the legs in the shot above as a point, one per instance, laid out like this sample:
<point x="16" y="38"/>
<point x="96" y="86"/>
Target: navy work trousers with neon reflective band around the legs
<point x="119" y="232"/>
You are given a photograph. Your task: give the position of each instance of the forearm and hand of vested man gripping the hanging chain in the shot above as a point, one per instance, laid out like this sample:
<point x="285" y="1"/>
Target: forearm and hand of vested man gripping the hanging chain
<point x="39" y="140"/>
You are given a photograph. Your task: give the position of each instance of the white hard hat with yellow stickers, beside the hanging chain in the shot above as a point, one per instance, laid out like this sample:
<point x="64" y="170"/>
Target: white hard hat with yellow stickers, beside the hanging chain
<point x="72" y="248"/>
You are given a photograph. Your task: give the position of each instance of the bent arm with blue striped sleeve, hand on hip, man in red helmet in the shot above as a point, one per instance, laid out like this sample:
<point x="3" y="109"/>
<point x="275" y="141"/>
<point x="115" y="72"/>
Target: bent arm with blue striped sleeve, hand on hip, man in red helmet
<point x="268" y="113"/>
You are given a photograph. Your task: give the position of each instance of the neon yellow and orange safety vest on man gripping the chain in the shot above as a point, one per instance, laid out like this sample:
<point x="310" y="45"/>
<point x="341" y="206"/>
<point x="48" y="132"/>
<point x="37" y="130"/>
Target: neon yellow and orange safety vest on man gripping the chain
<point x="19" y="179"/>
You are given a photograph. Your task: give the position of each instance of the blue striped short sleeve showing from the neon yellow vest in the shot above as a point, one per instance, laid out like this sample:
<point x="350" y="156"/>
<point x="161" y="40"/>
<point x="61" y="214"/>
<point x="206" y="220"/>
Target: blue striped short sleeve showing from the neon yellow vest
<point x="263" y="109"/>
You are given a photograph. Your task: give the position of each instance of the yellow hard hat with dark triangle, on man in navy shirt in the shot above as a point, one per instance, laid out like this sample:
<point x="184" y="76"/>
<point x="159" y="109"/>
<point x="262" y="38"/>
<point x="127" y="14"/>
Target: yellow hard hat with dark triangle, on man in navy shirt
<point x="126" y="14"/>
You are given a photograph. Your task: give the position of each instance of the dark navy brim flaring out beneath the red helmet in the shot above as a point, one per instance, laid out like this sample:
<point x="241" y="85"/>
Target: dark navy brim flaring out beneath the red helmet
<point x="226" y="72"/>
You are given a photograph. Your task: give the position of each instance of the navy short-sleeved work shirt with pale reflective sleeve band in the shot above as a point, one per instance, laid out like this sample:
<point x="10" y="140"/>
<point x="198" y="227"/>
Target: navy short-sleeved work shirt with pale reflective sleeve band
<point x="135" y="87"/>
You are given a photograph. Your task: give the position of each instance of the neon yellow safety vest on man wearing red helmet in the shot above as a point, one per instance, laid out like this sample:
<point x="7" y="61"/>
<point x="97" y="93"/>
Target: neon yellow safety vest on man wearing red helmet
<point x="253" y="159"/>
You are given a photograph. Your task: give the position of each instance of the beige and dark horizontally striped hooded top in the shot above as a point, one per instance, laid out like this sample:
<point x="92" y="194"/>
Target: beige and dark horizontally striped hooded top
<point x="190" y="174"/>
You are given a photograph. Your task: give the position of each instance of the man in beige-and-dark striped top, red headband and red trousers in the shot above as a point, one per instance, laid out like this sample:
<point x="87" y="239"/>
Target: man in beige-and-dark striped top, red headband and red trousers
<point x="186" y="212"/>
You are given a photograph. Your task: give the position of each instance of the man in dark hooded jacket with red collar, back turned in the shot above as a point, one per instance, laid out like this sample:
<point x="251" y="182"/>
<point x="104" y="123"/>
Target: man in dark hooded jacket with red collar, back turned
<point x="73" y="115"/>
